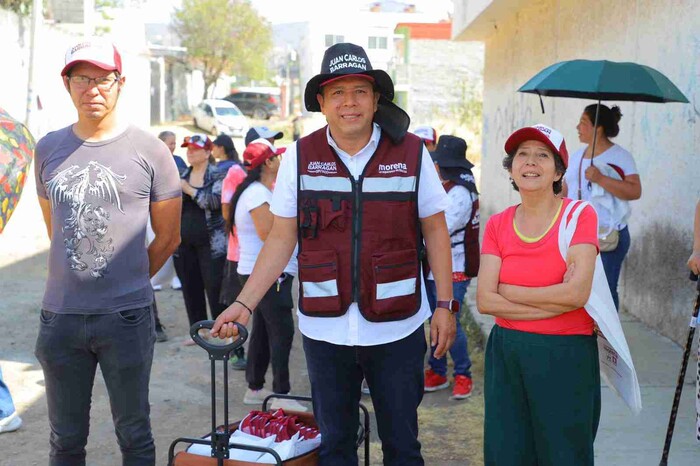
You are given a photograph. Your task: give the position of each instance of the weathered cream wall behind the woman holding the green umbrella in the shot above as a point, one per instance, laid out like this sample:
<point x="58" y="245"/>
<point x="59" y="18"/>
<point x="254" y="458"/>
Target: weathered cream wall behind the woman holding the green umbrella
<point x="664" y="139"/>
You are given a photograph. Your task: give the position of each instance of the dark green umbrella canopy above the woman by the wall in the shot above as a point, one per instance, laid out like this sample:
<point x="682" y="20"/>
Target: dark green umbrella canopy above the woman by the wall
<point x="604" y="80"/>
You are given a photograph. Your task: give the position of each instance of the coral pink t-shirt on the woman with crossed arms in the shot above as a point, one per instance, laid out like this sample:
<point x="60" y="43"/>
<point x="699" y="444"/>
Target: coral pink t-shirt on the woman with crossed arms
<point x="539" y="264"/>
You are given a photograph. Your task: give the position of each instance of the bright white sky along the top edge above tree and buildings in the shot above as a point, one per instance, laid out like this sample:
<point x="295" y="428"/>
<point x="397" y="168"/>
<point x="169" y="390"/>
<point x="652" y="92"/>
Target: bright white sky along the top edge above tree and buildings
<point x="287" y="11"/>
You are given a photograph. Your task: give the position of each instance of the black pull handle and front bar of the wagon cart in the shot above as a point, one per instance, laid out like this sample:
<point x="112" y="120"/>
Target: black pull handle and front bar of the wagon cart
<point x="219" y="439"/>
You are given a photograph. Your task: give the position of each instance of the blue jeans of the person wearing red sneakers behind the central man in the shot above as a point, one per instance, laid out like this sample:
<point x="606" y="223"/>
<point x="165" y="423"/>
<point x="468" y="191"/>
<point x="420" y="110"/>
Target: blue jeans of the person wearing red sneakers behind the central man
<point x="459" y="351"/>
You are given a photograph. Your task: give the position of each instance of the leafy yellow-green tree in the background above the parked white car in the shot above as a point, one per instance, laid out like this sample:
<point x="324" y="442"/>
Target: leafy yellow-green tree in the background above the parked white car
<point x="223" y="36"/>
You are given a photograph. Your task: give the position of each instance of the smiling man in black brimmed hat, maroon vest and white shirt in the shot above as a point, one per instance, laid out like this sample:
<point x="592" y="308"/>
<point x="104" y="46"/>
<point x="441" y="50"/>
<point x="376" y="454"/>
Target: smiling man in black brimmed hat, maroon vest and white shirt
<point x="360" y="196"/>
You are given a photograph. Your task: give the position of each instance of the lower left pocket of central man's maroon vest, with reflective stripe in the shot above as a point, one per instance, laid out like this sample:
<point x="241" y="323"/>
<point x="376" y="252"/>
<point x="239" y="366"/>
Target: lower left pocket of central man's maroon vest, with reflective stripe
<point x="318" y="277"/>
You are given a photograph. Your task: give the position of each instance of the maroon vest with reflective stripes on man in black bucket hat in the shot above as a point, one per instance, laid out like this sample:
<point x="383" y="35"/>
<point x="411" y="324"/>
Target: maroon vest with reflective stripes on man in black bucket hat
<point x="359" y="240"/>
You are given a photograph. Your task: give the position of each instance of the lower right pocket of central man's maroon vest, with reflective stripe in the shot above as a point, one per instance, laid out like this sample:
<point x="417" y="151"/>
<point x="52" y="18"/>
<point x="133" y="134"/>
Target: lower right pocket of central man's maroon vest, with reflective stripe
<point x="395" y="282"/>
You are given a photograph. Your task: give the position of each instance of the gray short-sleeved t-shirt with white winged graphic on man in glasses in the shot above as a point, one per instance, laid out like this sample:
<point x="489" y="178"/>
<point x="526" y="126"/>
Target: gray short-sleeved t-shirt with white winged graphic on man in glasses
<point x="100" y="195"/>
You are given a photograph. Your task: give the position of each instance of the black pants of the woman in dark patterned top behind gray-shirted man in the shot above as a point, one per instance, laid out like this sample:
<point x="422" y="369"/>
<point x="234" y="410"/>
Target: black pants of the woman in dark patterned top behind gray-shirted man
<point x="200" y="273"/>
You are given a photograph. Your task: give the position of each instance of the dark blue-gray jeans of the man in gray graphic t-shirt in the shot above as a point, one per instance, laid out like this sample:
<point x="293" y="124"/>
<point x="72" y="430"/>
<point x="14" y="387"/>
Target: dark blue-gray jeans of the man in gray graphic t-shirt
<point x="69" y="348"/>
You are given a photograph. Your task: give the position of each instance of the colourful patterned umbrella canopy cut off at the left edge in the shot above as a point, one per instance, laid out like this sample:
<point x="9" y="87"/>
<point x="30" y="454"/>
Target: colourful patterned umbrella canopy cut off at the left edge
<point x="16" y="151"/>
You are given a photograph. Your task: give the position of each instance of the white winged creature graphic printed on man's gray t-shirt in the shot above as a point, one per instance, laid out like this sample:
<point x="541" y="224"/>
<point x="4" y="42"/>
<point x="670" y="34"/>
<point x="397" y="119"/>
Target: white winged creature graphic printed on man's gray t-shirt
<point x="85" y="230"/>
